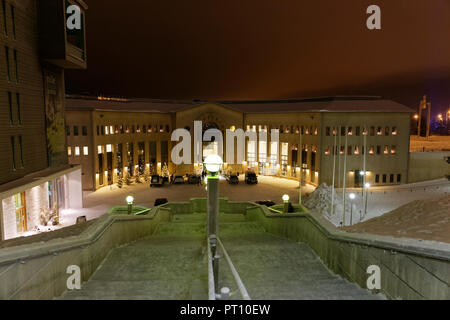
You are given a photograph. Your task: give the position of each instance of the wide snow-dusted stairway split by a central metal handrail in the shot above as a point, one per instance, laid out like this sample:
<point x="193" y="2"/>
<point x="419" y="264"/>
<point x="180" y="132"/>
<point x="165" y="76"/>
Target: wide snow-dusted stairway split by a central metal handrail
<point x="172" y="265"/>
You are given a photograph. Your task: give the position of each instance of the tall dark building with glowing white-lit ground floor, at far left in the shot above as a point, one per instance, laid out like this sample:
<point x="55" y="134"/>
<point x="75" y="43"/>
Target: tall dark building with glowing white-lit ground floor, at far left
<point x="35" y="176"/>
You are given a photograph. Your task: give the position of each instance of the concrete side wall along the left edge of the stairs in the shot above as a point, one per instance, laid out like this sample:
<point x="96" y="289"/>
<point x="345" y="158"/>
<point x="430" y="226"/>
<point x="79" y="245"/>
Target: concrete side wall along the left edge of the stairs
<point x="38" y="270"/>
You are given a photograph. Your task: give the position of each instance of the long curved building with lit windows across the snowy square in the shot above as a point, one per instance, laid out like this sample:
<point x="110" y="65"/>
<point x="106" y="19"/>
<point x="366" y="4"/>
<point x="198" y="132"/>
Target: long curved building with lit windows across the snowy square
<point x="367" y="137"/>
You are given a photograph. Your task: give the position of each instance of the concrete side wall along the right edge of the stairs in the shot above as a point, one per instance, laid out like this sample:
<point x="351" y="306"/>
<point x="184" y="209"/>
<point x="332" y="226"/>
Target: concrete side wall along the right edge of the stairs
<point x="410" y="269"/>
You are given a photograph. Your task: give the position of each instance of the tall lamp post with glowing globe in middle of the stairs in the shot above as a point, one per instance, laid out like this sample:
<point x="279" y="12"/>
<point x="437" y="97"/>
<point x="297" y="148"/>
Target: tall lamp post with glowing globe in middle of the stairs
<point x="213" y="163"/>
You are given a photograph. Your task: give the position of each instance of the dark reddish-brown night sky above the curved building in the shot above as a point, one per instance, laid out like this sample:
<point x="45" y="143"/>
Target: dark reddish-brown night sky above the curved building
<point x="261" y="49"/>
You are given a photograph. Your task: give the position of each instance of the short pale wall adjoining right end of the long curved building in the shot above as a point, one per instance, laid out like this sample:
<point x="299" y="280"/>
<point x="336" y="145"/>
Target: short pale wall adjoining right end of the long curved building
<point x="428" y="165"/>
